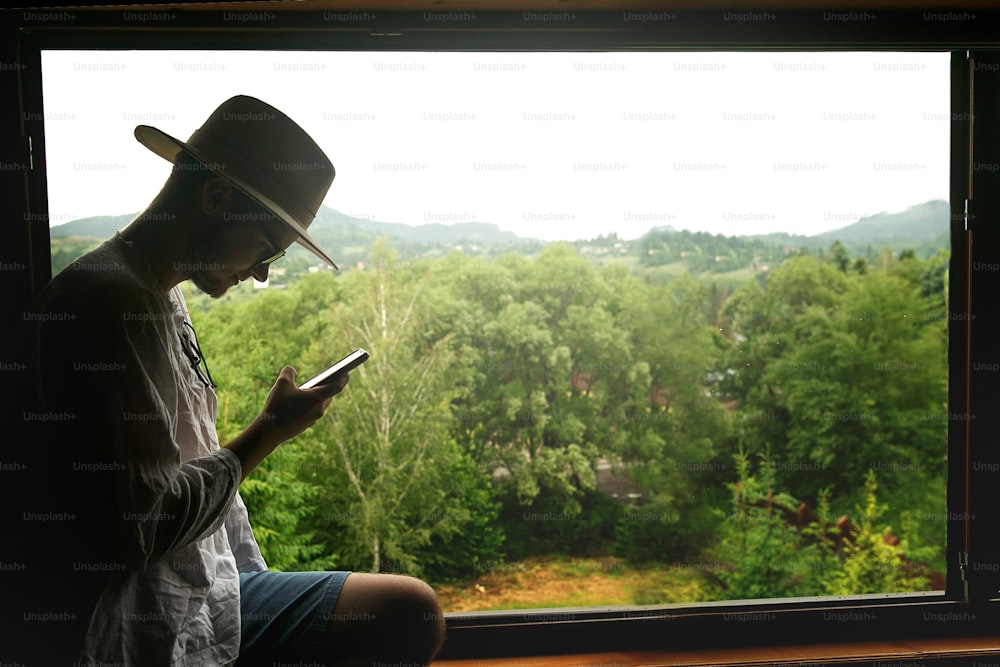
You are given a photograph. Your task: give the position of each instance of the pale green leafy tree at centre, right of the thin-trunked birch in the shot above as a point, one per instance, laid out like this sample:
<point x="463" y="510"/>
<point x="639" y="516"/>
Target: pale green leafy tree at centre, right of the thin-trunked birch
<point x="535" y="365"/>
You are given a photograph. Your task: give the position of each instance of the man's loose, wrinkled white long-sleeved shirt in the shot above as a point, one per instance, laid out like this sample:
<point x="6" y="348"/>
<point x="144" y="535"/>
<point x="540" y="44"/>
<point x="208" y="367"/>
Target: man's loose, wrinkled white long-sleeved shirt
<point x="185" y="535"/>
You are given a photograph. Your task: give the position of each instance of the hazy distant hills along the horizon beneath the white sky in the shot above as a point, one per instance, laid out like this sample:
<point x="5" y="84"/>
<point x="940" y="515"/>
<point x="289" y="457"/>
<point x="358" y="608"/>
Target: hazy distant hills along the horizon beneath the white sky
<point x="923" y="228"/>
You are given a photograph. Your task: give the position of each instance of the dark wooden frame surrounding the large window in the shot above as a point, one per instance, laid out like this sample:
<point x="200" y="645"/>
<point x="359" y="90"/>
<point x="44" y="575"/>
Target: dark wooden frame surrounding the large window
<point x="972" y="582"/>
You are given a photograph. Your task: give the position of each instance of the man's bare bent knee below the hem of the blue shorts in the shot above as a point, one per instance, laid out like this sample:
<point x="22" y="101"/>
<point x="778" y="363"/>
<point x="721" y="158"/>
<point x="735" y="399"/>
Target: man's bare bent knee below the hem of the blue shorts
<point x="385" y="619"/>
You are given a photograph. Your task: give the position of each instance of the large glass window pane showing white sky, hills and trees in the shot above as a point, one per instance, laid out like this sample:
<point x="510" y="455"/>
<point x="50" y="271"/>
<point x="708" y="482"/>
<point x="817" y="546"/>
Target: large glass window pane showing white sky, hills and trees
<point x="645" y="327"/>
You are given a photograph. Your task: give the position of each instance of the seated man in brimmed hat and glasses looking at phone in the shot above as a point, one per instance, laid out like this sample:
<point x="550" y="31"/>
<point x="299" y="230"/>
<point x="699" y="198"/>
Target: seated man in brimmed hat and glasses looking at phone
<point x="135" y="543"/>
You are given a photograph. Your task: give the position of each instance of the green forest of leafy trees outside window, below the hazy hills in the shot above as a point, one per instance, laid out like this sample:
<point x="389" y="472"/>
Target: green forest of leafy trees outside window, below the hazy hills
<point x="783" y="437"/>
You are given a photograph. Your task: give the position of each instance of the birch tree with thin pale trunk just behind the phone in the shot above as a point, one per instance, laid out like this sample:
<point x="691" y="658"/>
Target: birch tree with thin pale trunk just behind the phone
<point x="387" y="461"/>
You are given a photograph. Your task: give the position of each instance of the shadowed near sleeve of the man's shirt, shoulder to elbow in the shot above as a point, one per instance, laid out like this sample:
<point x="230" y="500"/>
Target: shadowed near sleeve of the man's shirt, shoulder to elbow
<point x="111" y="368"/>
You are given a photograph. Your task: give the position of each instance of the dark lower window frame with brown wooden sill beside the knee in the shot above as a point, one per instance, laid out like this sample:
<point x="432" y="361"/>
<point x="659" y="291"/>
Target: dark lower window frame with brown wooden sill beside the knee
<point x="919" y="629"/>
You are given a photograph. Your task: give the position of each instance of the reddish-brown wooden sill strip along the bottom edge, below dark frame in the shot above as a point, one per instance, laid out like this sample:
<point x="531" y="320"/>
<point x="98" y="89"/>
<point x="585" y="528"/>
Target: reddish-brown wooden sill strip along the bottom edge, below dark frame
<point x="950" y="649"/>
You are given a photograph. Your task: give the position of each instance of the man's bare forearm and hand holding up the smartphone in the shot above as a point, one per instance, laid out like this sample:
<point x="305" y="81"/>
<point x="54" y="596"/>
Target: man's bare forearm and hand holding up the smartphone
<point x="287" y="412"/>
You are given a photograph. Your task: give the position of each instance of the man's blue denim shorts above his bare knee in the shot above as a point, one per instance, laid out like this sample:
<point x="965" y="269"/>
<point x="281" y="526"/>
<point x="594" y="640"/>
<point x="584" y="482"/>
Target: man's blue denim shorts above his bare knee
<point x="285" y="615"/>
